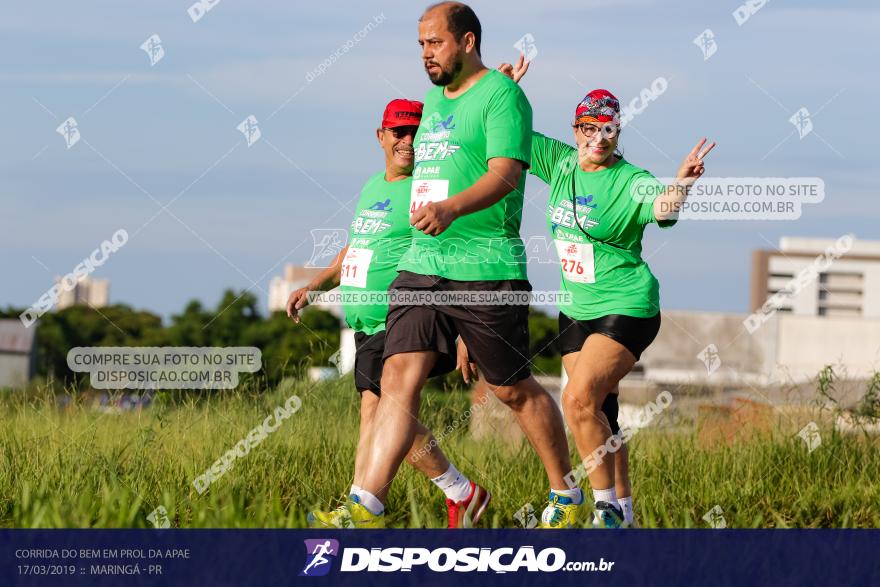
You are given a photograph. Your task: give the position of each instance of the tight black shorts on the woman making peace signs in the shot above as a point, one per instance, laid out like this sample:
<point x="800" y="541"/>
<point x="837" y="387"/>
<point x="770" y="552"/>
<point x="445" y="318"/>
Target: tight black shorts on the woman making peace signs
<point x="633" y="333"/>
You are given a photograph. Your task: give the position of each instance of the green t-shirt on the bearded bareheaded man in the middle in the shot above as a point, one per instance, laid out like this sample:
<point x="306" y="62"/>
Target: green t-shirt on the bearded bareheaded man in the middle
<point x="453" y="145"/>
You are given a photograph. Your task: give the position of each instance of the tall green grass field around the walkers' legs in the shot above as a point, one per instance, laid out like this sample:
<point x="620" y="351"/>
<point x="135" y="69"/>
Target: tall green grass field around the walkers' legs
<point x="81" y="468"/>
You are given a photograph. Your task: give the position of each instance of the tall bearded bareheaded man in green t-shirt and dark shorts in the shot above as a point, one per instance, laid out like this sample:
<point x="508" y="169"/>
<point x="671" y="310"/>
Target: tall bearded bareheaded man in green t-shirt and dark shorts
<point x="465" y="272"/>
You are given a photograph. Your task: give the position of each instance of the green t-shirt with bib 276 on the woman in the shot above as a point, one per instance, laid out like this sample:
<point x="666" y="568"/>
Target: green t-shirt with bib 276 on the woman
<point x="604" y="272"/>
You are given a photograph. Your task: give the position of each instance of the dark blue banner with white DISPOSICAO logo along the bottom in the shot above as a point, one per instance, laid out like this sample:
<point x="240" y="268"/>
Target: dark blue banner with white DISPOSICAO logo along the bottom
<point x="436" y="557"/>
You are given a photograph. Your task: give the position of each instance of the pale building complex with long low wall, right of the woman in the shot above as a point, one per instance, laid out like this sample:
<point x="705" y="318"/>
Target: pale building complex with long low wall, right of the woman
<point x="829" y="318"/>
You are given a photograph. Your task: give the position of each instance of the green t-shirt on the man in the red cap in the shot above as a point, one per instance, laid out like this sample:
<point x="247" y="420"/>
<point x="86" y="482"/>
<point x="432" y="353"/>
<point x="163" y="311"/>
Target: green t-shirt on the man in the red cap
<point x="379" y="236"/>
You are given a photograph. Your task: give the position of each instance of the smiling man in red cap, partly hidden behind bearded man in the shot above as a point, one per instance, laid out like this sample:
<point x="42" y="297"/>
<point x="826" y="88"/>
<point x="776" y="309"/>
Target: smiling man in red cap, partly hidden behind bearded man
<point x="379" y="235"/>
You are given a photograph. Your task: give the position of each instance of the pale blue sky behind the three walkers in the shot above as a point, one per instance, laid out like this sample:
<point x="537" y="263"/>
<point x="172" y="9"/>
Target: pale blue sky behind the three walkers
<point x="153" y="134"/>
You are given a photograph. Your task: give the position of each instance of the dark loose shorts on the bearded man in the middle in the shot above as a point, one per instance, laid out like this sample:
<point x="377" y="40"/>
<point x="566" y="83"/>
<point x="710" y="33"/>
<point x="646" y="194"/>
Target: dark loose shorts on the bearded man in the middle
<point x="497" y="335"/>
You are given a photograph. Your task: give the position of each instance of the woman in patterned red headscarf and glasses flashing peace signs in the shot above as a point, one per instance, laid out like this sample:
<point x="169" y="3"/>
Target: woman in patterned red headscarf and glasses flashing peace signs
<point x="599" y="207"/>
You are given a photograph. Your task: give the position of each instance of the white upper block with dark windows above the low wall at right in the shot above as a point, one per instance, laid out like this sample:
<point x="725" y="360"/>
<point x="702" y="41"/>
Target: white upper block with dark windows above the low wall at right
<point x="850" y="286"/>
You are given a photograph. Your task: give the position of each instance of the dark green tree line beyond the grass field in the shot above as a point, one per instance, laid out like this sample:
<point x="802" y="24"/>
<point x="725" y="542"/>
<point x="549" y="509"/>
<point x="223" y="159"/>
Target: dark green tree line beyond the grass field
<point x="288" y="349"/>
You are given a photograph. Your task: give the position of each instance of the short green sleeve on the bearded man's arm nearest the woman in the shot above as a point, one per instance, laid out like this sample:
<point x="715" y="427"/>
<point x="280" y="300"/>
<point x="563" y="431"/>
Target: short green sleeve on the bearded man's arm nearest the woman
<point x="509" y="124"/>
